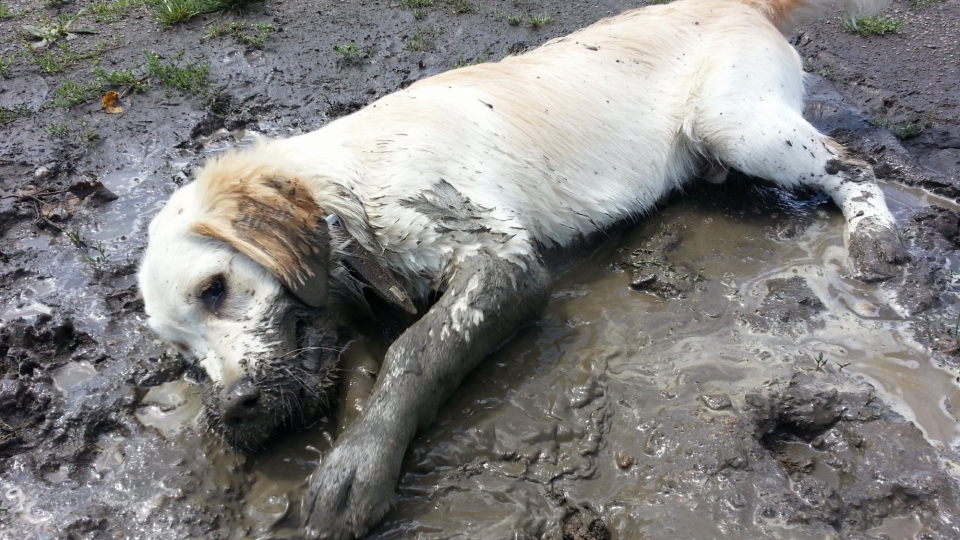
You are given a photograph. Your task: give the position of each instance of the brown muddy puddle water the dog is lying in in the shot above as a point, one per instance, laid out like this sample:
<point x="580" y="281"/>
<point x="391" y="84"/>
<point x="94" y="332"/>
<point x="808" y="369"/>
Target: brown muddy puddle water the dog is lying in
<point x="583" y="400"/>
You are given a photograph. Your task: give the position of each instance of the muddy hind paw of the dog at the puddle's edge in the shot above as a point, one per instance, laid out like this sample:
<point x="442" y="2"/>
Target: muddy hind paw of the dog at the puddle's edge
<point x="876" y="252"/>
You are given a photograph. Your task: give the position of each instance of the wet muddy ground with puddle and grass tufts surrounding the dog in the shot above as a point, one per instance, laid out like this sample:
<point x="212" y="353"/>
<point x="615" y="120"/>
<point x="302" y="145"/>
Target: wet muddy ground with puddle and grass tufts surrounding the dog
<point x="708" y="373"/>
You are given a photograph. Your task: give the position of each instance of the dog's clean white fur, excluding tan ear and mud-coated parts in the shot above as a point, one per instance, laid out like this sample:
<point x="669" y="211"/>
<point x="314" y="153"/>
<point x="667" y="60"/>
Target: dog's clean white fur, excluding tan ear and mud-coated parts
<point x="587" y="131"/>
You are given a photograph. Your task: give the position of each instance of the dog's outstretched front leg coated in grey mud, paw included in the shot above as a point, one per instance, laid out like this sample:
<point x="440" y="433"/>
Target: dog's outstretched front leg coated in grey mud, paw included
<point x="488" y="298"/>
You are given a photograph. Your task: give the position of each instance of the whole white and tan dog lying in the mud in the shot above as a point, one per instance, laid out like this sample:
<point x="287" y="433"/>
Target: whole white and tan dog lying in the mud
<point x="447" y="193"/>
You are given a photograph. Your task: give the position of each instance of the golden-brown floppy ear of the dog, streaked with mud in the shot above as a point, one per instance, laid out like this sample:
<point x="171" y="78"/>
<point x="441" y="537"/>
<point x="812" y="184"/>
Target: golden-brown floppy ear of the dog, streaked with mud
<point x="276" y="222"/>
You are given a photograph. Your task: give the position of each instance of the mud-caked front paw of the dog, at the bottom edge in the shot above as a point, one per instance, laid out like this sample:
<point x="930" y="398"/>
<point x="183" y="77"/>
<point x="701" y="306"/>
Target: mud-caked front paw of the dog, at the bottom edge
<point x="350" y="491"/>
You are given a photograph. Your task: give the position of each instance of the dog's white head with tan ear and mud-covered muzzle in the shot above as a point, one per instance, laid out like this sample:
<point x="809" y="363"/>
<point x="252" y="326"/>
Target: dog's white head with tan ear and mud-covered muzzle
<point x="236" y="277"/>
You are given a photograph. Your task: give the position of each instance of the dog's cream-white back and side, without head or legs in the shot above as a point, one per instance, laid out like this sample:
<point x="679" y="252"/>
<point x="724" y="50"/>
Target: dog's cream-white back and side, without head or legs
<point x="586" y="131"/>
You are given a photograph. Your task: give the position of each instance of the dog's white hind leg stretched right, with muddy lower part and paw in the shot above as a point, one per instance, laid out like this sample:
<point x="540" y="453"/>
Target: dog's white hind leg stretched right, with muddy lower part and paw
<point x="777" y="144"/>
